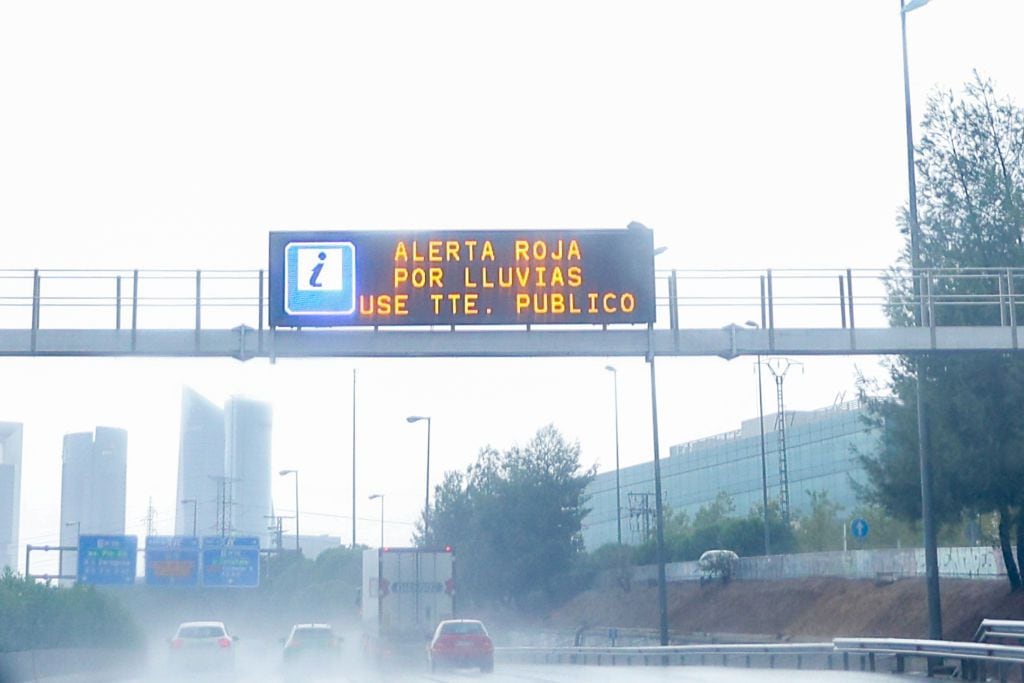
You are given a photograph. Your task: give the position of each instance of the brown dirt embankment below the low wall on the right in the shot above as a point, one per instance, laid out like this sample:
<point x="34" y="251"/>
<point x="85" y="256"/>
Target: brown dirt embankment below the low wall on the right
<point x="798" y="610"/>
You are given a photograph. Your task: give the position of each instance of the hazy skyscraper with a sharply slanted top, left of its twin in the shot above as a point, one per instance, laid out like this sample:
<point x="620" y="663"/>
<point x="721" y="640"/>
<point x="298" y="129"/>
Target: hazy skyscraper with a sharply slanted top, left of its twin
<point x="201" y="466"/>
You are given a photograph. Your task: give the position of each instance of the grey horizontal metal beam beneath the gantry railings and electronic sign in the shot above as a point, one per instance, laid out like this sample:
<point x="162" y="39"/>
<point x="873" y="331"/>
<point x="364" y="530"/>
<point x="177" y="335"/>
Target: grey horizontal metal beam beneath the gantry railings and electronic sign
<point x="247" y="344"/>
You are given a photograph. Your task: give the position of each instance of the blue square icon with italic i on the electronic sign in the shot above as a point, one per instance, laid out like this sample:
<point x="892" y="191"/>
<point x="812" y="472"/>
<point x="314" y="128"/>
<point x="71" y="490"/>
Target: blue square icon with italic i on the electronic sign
<point x="320" y="278"/>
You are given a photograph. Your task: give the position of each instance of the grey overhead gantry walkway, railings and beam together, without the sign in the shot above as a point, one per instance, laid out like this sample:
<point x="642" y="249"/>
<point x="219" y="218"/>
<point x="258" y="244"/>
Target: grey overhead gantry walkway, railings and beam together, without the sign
<point x="699" y="313"/>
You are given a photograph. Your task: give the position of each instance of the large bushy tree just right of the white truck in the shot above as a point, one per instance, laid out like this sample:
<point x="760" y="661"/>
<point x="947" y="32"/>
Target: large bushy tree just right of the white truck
<point x="516" y="521"/>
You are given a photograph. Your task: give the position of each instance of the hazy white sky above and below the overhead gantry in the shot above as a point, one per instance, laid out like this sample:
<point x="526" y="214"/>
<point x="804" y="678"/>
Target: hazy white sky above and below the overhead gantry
<point x="176" y="136"/>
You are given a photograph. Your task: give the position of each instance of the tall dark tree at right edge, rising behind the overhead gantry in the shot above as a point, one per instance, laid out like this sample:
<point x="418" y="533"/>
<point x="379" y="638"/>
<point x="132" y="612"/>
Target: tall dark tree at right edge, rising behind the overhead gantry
<point x="971" y="164"/>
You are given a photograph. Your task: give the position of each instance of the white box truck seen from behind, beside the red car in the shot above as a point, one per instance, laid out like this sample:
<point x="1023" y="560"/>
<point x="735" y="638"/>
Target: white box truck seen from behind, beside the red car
<point x="406" y="593"/>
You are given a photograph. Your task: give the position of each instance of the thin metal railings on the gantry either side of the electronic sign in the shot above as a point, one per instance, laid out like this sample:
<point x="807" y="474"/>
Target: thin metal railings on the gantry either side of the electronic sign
<point x="687" y="298"/>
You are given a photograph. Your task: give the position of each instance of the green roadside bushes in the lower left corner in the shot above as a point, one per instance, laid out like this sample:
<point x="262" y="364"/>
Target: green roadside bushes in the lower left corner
<point x="37" y="617"/>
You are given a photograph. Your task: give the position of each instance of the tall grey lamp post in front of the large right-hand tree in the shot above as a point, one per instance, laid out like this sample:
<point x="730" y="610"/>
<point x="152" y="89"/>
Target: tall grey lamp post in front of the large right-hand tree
<point x="924" y="459"/>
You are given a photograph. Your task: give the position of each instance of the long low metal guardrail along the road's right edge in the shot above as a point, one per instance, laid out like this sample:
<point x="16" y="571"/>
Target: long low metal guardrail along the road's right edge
<point x="972" y="661"/>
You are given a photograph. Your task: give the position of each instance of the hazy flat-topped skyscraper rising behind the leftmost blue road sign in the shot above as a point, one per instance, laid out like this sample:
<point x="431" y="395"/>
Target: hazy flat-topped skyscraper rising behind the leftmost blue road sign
<point x="94" y="482"/>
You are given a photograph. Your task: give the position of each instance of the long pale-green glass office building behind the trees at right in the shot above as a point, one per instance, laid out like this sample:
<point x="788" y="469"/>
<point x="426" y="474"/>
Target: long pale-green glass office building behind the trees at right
<point x="822" y="450"/>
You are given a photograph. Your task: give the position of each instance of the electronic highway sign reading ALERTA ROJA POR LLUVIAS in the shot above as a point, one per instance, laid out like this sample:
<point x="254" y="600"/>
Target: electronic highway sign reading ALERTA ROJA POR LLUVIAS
<point x="338" y="279"/>
